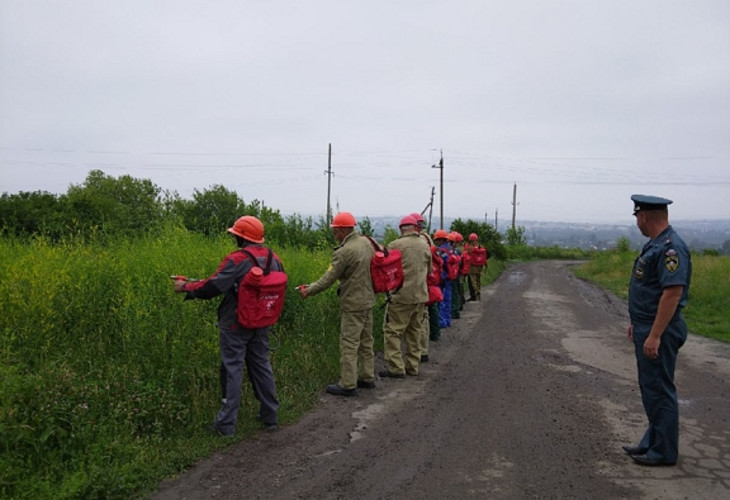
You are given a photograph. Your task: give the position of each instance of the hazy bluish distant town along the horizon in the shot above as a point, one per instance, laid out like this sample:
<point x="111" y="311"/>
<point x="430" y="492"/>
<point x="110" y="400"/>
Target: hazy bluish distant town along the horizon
<point x="699" y="235"/>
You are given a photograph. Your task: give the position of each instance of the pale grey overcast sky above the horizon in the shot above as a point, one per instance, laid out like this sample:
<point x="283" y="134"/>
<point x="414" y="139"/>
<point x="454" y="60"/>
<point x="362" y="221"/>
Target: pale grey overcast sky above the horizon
<point x="579" y="103"/>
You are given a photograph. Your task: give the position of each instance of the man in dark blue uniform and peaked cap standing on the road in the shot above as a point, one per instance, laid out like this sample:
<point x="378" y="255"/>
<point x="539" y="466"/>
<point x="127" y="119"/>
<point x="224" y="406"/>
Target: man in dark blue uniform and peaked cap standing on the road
<point x="657" y="294"/>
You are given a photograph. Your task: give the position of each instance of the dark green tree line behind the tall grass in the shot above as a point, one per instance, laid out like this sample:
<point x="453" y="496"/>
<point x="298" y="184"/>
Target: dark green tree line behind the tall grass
<point x="104" y="206"/>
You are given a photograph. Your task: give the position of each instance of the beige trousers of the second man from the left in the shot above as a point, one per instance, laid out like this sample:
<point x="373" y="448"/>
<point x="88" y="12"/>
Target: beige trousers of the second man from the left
<point x="357" y="360"/>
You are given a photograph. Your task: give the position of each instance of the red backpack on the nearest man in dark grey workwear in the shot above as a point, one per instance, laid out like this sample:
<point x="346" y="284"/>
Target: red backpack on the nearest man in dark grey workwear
<point x="260" y="294"/>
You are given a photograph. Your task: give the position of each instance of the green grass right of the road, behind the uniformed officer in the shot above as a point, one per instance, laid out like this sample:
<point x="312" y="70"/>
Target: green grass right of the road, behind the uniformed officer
<point x="708" y="310"/>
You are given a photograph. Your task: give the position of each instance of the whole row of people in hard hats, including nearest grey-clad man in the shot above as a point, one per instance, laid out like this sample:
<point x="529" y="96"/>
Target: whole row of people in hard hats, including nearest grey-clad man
<point x="429" y="298"/>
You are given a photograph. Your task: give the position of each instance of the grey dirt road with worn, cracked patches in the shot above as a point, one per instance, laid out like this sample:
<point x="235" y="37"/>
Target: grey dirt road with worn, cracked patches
<point x="529" y="395"/>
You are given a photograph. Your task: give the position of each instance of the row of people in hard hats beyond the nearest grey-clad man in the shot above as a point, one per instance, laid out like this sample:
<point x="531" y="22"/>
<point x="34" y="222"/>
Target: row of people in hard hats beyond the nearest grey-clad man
<point x="435" y="272"/>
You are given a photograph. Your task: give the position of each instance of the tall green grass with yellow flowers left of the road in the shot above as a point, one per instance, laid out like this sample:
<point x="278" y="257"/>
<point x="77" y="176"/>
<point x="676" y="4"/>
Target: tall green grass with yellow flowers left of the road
<point x="107" y="377"/>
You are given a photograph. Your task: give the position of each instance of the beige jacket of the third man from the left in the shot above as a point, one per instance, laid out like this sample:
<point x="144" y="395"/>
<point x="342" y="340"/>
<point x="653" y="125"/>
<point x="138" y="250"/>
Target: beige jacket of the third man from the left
<point x="416" y="265"/>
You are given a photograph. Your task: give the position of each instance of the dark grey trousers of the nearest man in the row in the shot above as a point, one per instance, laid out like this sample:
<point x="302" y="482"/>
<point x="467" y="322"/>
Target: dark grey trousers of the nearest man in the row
<point x="252" y="348"/>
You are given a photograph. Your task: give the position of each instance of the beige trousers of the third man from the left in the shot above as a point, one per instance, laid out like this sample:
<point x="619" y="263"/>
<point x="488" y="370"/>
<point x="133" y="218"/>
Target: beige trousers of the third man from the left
<point x="404" y="323"/>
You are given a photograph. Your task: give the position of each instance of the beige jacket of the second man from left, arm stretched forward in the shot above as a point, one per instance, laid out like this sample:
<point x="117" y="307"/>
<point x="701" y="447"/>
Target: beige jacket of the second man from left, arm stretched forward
<point x="350" y="265"/>
